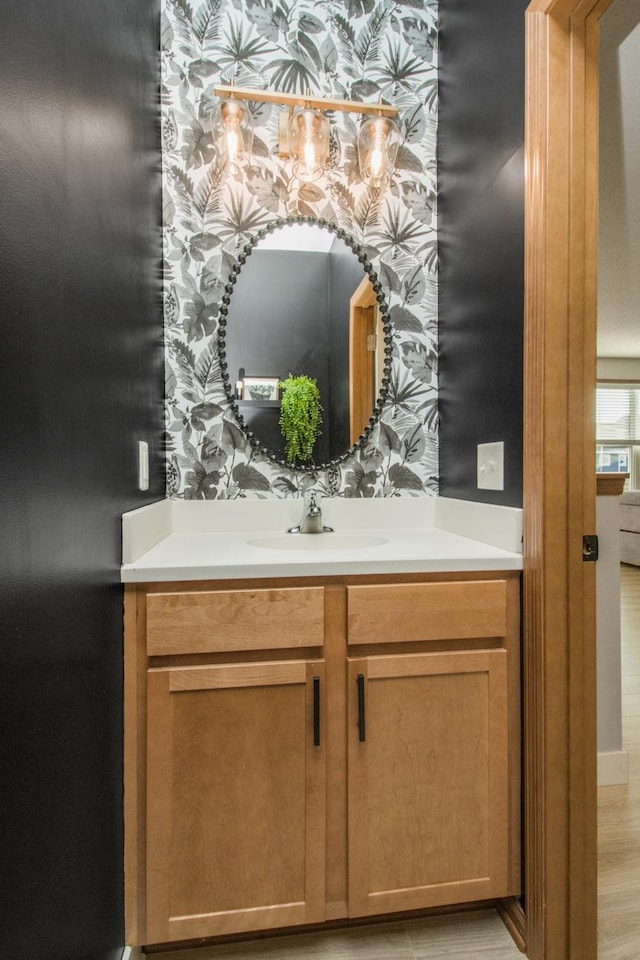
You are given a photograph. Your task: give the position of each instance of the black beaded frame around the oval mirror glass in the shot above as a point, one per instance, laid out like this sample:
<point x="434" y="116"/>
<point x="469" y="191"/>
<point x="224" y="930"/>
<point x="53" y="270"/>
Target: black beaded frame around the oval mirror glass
<point x="367" y="266"/>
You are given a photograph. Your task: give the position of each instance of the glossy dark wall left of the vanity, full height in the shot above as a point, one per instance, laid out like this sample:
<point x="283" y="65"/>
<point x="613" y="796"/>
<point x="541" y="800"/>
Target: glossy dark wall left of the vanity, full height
<point x="81" y="383"/>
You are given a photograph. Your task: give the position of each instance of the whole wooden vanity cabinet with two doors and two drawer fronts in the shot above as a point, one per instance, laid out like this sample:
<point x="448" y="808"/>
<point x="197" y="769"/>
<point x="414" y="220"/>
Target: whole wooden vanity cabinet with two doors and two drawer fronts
<point x="313" y="749"/>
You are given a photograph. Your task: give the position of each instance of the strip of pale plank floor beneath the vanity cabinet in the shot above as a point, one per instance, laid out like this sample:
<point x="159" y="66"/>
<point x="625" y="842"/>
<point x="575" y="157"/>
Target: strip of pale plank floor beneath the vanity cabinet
<point x="465" y="936"/>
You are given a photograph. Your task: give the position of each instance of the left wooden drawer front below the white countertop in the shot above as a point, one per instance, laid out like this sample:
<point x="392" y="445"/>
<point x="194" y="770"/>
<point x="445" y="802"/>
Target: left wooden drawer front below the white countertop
<point x="234" y="620"/>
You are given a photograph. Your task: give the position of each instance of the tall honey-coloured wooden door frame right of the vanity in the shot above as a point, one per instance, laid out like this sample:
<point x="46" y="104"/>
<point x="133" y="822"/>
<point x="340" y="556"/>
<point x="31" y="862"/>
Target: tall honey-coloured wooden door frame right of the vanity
<point x="562" y="46"/>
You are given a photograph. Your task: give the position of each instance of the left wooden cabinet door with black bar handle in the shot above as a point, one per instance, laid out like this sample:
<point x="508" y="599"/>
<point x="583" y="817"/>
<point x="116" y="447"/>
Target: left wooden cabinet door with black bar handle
<point x="236" y="799"/>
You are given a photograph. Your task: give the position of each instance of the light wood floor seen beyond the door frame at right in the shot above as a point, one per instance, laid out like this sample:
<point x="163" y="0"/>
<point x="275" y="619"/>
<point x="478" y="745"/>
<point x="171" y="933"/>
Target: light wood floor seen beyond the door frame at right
<point x="619" y="806"/>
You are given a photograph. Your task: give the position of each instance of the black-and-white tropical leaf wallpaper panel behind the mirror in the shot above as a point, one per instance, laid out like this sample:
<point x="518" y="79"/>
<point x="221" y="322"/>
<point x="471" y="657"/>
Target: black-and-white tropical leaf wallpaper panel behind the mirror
<point x="350" y="49"/>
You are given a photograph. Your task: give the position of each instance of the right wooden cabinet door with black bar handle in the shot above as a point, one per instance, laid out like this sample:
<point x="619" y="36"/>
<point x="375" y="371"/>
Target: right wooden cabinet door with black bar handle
<point x="428" y="780"/>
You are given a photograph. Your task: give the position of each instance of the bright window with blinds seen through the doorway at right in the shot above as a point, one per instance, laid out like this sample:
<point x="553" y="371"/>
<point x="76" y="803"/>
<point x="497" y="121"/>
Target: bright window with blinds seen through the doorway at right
<point x="618" y="430"/>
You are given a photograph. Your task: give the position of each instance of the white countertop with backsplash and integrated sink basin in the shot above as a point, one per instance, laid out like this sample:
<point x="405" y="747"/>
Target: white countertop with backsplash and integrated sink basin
<point x="175" y="540"/>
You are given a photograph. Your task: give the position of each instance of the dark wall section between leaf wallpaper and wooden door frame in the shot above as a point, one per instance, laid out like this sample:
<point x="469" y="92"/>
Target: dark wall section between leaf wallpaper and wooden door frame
<point x="481" y="241"/>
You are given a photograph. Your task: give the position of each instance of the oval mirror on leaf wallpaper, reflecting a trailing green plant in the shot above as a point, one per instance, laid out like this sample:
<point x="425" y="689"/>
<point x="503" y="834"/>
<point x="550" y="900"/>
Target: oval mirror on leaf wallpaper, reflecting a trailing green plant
<point x="304" y="300"/>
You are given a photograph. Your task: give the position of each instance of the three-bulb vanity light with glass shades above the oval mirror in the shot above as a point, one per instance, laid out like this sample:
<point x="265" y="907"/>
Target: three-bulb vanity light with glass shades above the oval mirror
<point x="304" y="130"/>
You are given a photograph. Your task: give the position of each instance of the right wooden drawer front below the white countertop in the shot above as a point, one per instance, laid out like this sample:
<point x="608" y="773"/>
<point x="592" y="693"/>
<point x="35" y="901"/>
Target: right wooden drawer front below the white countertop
<point x="461" y="610"/>
